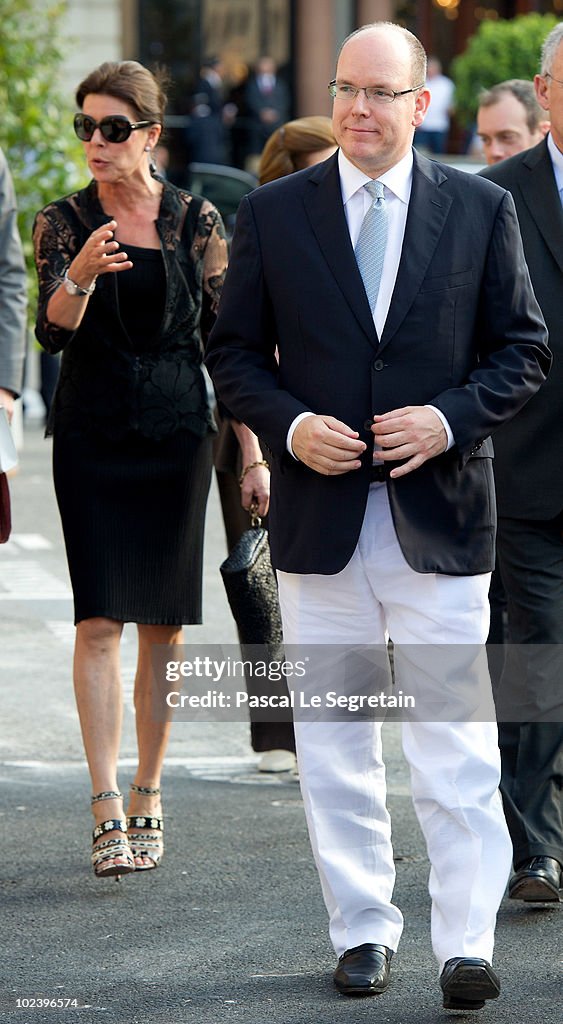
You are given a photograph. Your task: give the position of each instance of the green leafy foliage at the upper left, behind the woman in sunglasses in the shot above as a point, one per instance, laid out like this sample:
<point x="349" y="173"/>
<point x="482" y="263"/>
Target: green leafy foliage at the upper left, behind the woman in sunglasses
<point x="36" y="135"/>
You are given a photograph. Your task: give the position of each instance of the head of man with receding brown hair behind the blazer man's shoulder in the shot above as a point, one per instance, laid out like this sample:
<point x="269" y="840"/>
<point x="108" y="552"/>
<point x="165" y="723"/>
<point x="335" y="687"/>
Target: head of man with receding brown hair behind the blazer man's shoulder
<point x="510" y="120"/>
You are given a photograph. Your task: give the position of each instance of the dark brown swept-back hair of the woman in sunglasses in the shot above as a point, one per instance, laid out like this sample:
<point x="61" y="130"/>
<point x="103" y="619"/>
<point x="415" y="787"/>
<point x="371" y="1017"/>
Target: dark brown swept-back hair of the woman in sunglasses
<point x="129" y="81"/>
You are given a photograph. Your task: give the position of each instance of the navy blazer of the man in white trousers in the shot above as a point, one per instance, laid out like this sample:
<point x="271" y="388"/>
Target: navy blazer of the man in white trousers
<point x="464" y="333"/>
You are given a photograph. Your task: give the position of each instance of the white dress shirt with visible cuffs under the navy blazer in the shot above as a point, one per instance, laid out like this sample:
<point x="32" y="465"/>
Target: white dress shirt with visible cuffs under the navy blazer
<point x="398" y="183"/>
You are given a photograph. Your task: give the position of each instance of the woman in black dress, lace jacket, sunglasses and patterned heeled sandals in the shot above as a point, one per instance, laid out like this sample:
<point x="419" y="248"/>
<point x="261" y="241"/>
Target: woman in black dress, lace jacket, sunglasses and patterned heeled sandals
<point x="131" y="271"/>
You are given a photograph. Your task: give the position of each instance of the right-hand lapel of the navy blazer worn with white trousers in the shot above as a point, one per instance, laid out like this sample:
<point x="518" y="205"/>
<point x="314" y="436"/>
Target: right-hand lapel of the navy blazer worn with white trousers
<point x="428" y="210"/>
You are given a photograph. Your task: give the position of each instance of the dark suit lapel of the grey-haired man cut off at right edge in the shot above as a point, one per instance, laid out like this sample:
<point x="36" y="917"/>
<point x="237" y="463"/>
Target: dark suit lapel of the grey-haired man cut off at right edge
<point x="548" y="215"/>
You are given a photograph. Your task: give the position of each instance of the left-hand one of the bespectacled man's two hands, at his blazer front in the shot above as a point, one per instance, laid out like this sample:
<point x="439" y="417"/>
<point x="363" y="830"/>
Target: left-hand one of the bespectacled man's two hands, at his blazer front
<point x="328" y="446"/>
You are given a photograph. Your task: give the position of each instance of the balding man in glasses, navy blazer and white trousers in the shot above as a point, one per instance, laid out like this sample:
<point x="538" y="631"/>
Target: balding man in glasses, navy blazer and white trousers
<point x="376" y="392"/>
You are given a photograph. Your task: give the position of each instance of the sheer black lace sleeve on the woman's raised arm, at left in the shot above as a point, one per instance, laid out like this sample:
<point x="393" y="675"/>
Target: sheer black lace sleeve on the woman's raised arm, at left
<point x="55" y="246"/>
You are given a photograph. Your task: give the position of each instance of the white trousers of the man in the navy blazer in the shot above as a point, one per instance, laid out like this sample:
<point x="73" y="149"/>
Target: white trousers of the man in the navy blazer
<point x="455" y="766"/>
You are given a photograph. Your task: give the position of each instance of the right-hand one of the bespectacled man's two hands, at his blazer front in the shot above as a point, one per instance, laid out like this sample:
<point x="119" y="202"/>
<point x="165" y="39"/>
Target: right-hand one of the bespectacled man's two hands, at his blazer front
<point x="414" y="434"/>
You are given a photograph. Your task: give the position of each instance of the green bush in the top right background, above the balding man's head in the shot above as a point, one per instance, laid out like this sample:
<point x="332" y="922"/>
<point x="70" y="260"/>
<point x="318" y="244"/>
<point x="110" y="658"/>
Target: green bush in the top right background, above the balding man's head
<point x="499" y="51"/>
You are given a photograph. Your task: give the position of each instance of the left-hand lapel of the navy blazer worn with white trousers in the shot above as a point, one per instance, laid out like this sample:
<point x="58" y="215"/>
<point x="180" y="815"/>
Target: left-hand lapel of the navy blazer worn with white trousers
<point x="326" y="212"/>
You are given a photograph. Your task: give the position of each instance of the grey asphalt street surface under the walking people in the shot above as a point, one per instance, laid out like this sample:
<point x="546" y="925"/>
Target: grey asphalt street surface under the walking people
<point x="233" y="927"/>
